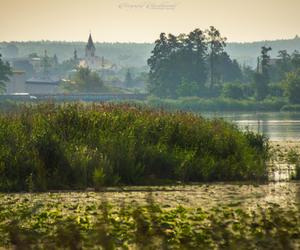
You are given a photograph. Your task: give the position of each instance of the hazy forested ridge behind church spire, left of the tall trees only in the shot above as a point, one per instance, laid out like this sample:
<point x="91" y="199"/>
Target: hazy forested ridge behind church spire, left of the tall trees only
<point x="123" y="54"/>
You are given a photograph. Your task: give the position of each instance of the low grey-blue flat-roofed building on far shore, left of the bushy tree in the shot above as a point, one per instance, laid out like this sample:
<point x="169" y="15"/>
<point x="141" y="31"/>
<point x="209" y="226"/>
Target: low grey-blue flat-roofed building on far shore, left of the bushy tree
<point x="43" y="85"/>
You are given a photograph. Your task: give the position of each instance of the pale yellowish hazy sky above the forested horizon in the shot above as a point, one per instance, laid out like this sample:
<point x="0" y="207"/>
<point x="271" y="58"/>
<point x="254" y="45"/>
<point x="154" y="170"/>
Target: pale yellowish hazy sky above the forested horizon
<point x="143" y="20"/>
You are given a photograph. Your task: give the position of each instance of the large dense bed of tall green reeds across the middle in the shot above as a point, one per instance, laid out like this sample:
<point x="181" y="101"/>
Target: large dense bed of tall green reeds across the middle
<point x="76" y="146"/>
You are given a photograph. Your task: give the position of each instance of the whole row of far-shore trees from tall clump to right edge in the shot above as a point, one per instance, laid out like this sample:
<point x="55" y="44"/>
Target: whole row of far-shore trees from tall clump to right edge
<point x="196" y="64"/>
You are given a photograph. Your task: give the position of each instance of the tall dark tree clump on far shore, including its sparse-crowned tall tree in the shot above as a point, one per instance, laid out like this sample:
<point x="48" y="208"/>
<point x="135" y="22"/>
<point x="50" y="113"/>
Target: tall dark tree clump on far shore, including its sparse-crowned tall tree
<point x="191" y="64"/>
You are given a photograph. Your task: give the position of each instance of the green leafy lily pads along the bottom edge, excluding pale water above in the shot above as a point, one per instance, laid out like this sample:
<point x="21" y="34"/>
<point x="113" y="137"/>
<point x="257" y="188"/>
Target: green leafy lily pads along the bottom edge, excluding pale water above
<point x="44" y="222"/>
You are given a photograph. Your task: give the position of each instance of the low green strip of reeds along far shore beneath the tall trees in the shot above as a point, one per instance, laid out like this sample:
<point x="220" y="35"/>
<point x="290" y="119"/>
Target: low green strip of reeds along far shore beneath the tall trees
<point x="197" y="104"/>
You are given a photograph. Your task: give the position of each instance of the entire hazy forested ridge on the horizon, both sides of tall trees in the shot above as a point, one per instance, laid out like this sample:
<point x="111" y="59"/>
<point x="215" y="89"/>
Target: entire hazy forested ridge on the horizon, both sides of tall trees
<point x="136" y="54"/>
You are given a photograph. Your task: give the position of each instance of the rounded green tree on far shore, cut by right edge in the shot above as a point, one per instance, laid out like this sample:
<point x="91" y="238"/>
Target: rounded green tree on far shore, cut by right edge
<point x="292" y="86"/>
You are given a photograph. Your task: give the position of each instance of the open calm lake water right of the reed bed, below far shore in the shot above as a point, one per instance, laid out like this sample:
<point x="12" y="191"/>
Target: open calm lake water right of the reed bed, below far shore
<point x="278" y="126"/>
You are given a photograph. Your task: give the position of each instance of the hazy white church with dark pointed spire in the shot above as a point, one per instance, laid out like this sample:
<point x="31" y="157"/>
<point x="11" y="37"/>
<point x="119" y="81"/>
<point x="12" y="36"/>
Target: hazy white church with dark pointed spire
<point x="92" y="61"/>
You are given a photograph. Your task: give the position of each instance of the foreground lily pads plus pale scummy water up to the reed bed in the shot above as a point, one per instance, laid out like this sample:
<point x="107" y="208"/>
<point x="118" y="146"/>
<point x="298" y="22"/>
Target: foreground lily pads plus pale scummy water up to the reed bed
<point x="190" y="217"/>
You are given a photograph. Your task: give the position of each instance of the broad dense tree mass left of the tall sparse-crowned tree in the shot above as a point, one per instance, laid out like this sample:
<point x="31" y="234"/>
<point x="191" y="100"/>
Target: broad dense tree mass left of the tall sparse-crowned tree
<point x="174" y="58"/>
